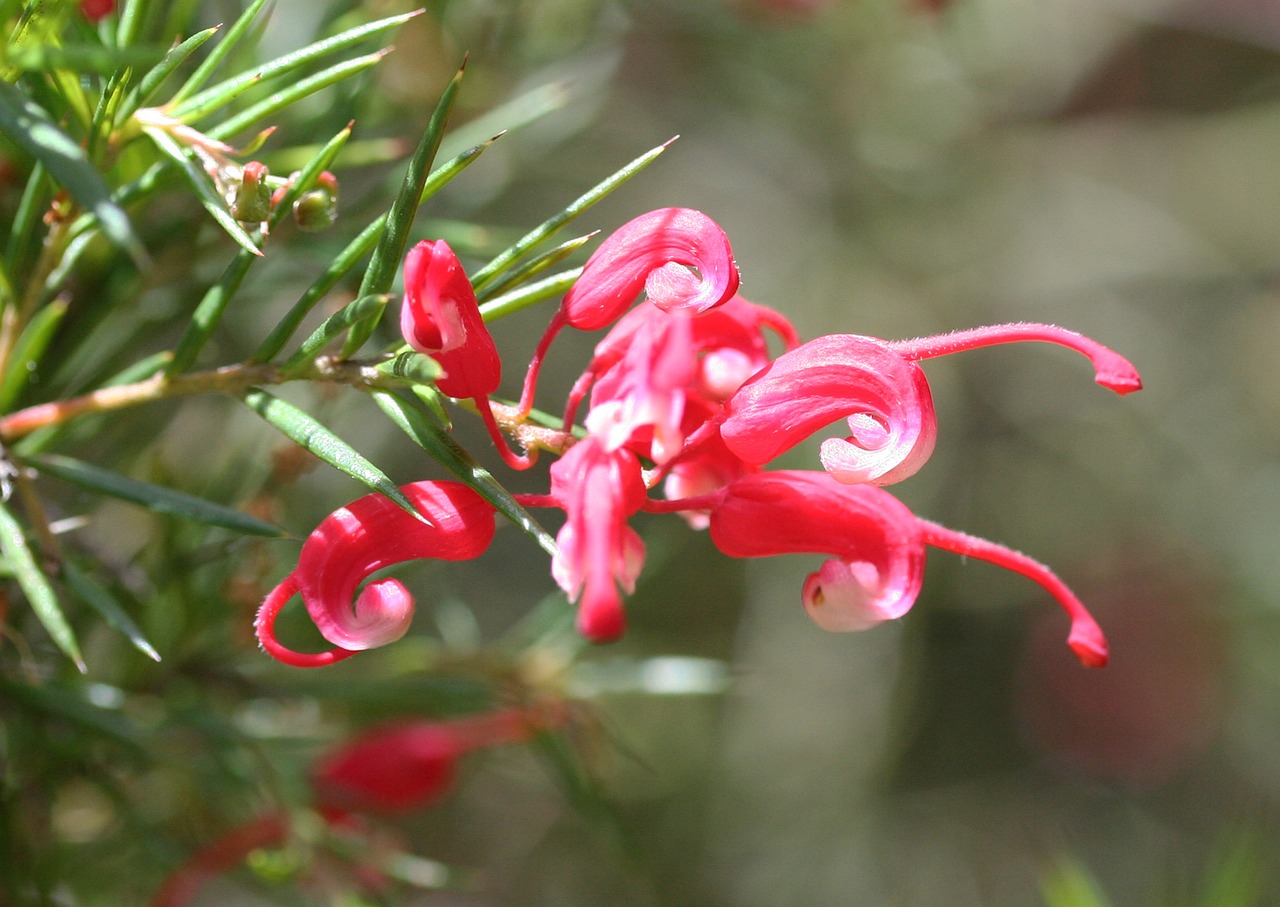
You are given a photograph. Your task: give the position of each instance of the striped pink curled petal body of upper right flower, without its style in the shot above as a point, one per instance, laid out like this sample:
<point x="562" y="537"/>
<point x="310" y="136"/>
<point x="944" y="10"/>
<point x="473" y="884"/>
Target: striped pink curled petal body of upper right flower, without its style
<point x="885" y="397"/>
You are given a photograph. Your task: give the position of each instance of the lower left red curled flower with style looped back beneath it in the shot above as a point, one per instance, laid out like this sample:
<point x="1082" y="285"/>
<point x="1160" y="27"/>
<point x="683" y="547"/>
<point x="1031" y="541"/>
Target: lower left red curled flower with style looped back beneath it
<point x="360" y="539"/>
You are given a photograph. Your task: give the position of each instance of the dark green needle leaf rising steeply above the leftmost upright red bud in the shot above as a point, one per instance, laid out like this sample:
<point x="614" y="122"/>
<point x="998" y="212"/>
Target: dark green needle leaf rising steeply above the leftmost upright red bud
<point x="391" y="246"/>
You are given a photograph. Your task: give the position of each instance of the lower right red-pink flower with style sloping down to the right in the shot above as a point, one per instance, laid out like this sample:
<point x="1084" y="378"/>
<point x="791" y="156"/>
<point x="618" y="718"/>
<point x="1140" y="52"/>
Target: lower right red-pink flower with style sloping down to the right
<point x="879" y="548"/>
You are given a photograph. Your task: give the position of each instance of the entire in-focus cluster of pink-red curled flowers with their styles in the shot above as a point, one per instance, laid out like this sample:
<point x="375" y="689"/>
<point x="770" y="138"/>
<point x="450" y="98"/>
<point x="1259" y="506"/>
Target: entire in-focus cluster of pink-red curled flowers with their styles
<point x="685" y="407"/>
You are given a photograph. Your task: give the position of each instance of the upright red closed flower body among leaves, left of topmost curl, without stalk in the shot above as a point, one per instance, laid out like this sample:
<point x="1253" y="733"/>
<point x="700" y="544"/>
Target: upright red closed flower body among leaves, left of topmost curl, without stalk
<point x="442" y="319"/>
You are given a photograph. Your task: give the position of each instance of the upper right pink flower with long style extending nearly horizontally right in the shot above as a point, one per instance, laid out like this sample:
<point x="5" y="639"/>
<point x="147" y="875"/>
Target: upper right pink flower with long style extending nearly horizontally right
<point x="879" y="387"/>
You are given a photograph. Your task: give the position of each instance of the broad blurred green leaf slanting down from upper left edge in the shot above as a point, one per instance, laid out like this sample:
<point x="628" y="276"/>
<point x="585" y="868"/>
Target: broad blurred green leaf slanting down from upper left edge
<point x="29" y="127"/>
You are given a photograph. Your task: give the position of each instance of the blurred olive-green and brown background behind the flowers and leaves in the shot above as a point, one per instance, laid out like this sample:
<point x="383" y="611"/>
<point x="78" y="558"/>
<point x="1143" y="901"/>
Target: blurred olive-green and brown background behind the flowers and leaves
<point x="886" y="168"/>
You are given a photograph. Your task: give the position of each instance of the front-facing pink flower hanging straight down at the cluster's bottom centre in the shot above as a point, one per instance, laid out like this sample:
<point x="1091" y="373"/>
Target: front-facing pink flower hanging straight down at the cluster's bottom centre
<point x="600" y="491"/>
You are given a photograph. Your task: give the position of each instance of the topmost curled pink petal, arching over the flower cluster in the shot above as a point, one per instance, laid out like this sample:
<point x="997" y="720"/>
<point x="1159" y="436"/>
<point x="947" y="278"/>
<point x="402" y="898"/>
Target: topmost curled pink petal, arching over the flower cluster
<point x="680" y="258"/>
